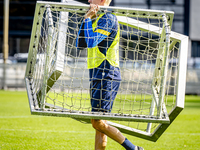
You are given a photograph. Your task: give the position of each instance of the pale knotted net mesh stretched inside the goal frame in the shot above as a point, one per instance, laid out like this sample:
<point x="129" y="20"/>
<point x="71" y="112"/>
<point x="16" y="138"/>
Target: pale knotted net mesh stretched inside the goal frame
<point x="68" y="88"/>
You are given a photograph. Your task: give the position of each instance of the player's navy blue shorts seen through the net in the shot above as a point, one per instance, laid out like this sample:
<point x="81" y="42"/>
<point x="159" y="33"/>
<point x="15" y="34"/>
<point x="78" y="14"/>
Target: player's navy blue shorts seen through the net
<point x="103" y="93"/>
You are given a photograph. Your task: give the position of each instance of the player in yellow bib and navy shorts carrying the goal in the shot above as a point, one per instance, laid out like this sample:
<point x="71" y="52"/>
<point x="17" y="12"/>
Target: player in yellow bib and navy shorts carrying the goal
<point x="100" y="35"/>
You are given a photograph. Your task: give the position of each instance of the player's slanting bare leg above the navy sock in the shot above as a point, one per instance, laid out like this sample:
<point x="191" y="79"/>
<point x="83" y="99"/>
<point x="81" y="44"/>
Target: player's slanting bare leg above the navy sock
<point x="110" y="131"/>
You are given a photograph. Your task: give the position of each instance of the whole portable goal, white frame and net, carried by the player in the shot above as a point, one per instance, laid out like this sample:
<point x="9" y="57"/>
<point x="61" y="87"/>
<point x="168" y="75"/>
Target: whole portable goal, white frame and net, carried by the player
<point x="151" y="92"/>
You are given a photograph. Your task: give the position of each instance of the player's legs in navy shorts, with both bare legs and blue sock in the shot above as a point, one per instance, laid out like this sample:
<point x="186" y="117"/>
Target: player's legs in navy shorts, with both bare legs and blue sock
<point x="106" y="95"/>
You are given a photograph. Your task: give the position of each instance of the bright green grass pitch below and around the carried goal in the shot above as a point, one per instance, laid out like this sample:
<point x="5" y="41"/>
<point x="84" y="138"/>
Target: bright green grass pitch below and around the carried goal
<point x="21" y="130"/>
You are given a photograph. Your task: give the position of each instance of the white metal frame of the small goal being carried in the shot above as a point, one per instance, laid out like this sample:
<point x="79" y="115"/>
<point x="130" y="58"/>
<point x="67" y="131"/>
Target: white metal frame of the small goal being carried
<point x="171" y="38"/>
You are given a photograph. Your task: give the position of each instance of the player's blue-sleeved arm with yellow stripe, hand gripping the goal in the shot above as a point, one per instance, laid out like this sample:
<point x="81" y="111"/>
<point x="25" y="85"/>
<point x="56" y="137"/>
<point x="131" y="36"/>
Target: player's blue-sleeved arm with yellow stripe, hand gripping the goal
<point x="103" y="30"/>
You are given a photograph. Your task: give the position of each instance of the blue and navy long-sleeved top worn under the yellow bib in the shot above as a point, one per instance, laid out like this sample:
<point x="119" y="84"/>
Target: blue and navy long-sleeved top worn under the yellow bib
<point x="88" y="38"/>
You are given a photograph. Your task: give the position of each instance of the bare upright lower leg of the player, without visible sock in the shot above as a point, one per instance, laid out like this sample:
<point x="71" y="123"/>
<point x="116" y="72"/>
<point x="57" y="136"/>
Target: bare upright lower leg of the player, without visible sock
<point x="100" y="141"/>
